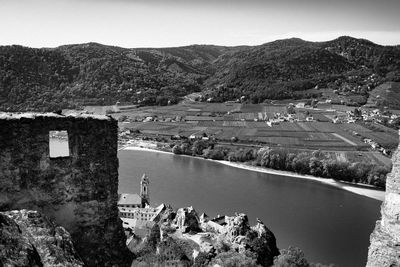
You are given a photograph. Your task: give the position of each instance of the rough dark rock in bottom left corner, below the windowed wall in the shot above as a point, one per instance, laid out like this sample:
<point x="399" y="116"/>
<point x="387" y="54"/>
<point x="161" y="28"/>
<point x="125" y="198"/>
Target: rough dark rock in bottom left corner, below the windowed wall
<point x="29" y="239"/>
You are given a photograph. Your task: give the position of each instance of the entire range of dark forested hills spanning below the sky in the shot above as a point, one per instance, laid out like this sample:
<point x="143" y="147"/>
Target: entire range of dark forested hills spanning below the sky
<point x="75" y="75"/>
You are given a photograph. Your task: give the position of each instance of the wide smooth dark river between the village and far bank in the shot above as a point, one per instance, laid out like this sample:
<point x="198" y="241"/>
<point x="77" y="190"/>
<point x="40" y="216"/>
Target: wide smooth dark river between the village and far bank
<point x="329" y="224"/>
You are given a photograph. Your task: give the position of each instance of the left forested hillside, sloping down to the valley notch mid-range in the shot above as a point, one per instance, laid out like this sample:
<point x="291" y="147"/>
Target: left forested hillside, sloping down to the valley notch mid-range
<point x="84" y="74"/>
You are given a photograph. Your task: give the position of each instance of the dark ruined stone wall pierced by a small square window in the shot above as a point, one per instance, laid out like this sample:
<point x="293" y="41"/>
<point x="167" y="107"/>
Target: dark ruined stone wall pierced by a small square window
<point x="79" y="192"/>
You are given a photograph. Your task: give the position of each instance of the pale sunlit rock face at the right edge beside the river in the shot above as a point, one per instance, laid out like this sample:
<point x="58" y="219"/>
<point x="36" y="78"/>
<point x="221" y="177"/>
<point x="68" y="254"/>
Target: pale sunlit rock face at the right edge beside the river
<point x="385" y="239"/>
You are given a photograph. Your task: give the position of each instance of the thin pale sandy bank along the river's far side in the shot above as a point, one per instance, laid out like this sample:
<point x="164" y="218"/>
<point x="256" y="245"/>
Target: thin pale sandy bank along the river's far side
<point x="360" y="189"/>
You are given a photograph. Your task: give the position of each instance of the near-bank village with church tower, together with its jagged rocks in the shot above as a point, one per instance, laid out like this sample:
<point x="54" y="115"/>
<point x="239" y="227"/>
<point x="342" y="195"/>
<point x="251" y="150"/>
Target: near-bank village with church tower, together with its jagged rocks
<point x="198" y="233"/>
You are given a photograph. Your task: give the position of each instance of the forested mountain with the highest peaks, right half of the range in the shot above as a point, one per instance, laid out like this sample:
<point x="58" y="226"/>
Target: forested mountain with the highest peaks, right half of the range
<point x="288" y="68"/>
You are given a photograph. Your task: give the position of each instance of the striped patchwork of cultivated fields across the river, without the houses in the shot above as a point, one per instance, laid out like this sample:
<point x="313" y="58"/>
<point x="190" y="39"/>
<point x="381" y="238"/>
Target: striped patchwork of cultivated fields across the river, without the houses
<point x="247" y="123"/>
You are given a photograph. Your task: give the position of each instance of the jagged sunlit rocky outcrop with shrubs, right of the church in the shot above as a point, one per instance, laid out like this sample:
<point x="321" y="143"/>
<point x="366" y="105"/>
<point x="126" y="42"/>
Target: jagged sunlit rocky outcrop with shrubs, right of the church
<point x="207" y="238"/>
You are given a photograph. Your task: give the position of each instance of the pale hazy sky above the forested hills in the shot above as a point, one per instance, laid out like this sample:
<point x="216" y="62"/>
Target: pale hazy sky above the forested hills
<point x="161" y="23"/>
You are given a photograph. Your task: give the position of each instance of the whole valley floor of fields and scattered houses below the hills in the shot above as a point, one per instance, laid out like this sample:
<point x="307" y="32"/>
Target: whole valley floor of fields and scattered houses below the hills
<point x="349" y="132"/>
